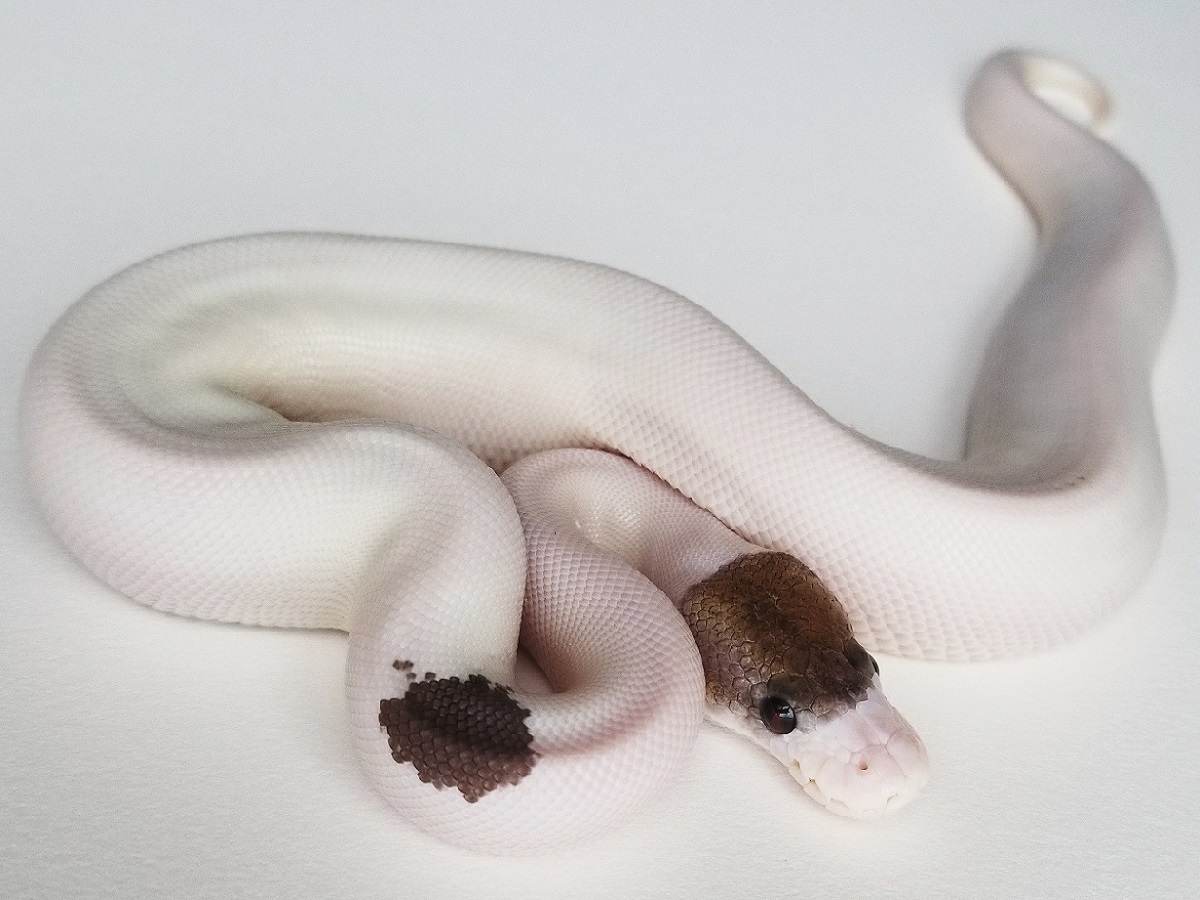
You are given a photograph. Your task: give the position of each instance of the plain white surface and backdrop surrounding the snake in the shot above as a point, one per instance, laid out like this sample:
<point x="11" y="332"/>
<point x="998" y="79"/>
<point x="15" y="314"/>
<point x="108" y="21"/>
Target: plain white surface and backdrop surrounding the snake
<point x="800" y="170"/>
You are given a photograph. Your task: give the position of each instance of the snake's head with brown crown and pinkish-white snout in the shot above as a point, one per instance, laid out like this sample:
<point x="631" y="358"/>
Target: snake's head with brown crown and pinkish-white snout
<point x="783" y="668"/>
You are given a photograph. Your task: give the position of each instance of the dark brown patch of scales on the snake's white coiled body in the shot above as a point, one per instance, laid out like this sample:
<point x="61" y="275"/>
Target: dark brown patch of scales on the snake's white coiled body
<point x="470" y="735"/>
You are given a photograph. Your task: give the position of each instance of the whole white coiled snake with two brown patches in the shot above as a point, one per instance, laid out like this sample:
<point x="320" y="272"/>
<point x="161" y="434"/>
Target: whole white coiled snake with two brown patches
<point x="292" y="430"/>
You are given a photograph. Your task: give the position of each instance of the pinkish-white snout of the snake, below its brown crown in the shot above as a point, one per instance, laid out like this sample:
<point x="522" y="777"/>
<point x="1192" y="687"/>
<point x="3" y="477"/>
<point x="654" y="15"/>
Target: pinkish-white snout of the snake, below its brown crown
<point x="861" y="764"/>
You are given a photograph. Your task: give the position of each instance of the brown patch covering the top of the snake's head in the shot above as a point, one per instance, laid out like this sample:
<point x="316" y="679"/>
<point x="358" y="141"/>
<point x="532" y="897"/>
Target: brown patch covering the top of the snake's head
<point x="767" y="627"/>
